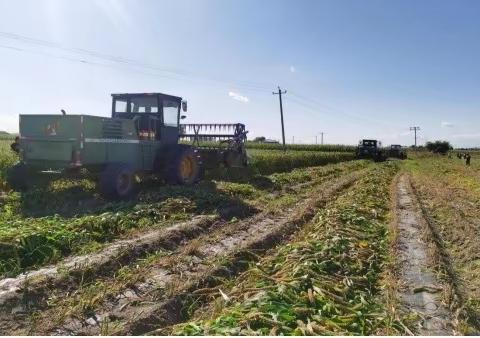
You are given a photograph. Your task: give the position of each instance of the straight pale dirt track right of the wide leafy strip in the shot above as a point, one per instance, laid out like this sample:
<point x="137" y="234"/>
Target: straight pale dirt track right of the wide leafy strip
<point x="420" y="291"/>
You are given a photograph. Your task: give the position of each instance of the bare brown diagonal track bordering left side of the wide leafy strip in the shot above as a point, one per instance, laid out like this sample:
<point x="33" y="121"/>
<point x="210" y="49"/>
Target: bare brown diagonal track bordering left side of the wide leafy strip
<point x="171" y="281"/>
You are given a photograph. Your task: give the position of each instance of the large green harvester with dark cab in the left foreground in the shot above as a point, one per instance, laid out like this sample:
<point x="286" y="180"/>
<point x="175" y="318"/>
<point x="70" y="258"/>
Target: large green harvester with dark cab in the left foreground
<point x="142" y="137"/>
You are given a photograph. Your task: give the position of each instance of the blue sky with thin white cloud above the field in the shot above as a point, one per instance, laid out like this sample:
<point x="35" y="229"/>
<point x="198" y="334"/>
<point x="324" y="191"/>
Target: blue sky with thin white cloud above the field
<point x="352" y="69"/>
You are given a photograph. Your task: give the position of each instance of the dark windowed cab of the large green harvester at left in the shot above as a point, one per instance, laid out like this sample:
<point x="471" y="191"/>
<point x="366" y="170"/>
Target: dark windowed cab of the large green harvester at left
<point x="156" y="115"/>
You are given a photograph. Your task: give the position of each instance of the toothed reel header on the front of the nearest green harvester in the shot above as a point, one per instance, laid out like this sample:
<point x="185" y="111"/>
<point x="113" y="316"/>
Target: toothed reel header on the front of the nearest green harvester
<point x="218" y="144"/>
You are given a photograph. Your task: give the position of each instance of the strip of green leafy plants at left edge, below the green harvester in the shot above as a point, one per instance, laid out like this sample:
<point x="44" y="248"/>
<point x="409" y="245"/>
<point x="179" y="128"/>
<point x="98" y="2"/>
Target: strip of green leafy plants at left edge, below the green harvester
<point x="37" y="241"/>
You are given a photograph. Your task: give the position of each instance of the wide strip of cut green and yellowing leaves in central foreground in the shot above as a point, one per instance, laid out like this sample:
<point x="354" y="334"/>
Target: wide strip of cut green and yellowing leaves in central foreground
<point x="327" y="281"/>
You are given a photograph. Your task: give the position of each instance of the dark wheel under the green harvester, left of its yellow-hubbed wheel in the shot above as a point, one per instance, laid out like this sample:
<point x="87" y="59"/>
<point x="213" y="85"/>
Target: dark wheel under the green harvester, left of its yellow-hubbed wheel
<point x="117" y="181"/>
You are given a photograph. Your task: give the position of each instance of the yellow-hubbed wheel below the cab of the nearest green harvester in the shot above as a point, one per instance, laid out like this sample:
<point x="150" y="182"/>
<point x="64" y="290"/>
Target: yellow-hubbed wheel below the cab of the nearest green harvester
<point x="184" y="166"/>
